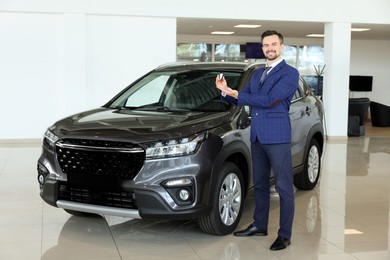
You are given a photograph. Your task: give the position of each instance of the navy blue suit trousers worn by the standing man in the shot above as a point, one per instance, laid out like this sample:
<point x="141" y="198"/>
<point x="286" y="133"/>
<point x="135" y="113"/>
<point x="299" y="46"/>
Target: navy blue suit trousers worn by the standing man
<point x="278" y="158"/>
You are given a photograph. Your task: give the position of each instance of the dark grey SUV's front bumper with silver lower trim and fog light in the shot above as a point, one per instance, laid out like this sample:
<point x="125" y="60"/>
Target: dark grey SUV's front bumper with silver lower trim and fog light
<point x="146" y="195"/>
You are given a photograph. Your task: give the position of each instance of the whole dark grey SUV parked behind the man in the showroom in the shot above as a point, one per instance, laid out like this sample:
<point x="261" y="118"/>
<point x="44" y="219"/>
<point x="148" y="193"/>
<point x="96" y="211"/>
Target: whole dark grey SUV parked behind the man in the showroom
<point x="168" y="146"/>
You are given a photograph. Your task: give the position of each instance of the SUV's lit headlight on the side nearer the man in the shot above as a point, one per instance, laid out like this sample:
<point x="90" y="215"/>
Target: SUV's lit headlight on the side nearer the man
<point x="174" y="147"/>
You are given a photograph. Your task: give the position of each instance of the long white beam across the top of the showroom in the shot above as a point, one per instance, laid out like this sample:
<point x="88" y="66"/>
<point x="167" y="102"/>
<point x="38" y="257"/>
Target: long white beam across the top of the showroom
<point x="376" y="11"/>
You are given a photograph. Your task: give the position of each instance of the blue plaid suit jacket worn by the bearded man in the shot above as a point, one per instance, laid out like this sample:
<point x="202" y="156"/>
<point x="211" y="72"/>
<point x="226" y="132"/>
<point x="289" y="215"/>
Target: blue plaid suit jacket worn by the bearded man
<point x="270" y="102"/>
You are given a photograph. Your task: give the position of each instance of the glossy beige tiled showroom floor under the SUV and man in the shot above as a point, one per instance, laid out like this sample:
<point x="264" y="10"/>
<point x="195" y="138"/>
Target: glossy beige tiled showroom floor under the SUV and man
<point x="346" y="217"/>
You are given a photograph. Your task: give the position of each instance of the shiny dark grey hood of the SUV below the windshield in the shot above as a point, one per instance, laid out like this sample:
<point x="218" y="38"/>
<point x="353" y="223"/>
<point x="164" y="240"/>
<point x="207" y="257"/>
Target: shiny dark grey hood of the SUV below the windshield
<point x="136" y="126"/>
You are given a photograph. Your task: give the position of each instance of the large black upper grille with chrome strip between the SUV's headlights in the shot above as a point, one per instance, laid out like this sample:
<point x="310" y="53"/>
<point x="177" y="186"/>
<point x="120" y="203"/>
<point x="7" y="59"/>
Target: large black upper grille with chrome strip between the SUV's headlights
<point x="78" y="157"/>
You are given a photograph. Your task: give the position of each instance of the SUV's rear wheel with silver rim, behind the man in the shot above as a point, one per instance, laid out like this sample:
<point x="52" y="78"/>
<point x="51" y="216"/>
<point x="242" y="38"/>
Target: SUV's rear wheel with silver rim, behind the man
<point x="308" y="178"/>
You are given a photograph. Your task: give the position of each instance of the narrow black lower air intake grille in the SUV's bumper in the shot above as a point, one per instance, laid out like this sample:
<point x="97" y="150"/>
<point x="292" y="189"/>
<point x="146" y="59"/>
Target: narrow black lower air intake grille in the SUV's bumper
<point x="118" y="199"/>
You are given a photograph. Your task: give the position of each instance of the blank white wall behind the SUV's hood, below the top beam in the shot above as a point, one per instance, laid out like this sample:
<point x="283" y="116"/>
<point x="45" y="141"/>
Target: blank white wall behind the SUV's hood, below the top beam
<point x="53" y="65"/>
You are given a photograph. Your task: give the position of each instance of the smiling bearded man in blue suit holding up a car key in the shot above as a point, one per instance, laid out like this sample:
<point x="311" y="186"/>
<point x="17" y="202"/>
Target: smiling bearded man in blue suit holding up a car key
<point x="269" y="93"/>
